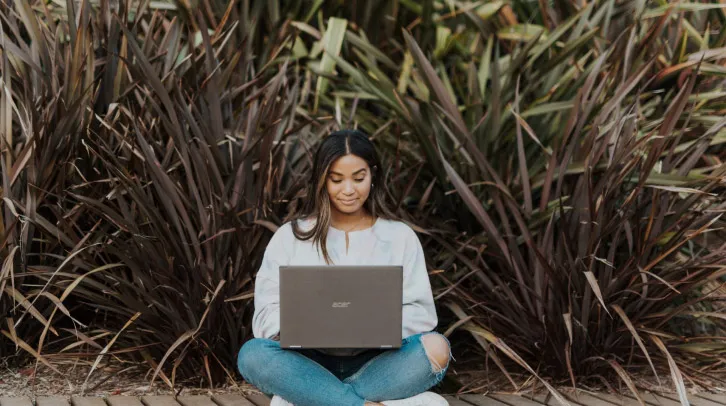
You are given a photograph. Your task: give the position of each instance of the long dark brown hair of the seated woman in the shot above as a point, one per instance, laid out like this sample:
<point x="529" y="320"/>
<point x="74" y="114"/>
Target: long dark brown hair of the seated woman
<point x="317" y="202"/>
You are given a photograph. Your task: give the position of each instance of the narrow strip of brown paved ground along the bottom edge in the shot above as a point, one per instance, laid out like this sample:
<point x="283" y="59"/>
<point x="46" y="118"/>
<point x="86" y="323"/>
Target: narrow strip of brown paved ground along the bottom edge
<point x="578" y="399"/>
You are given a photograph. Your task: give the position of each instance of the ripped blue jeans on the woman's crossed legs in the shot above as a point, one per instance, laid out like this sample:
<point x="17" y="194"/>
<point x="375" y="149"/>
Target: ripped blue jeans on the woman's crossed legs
<point x="312" y="378"/>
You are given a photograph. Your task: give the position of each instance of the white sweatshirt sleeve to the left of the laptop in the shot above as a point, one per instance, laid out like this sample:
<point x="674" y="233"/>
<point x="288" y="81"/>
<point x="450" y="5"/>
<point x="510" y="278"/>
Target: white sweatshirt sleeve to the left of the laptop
<point x="266" y="318"/>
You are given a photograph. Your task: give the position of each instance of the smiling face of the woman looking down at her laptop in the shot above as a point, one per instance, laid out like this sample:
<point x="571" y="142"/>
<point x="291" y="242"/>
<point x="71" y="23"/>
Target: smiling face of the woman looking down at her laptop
<point x="348" y="183"/>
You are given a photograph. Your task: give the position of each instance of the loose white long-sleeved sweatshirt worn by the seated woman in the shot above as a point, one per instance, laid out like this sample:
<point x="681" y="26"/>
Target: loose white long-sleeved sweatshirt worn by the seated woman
<point x="388" y="242"/>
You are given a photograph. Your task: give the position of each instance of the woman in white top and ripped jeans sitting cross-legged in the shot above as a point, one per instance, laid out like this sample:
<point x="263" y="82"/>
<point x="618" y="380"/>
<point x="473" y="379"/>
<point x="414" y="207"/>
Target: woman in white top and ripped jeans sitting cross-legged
<point x="344" y="221"/>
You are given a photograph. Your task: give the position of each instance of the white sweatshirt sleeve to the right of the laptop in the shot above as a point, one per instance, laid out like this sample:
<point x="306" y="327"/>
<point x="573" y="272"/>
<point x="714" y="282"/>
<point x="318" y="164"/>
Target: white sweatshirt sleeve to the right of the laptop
<point x="419" y="312"/>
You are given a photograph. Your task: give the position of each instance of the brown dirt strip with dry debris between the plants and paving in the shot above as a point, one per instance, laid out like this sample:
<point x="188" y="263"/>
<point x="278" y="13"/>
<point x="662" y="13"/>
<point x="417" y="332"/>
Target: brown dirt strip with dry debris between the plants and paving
<point x="124" y="379"/>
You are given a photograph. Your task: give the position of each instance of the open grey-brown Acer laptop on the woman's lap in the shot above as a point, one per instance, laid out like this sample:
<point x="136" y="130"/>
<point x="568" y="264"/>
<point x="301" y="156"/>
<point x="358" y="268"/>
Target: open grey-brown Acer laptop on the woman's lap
<point x="339" y="306"/>
